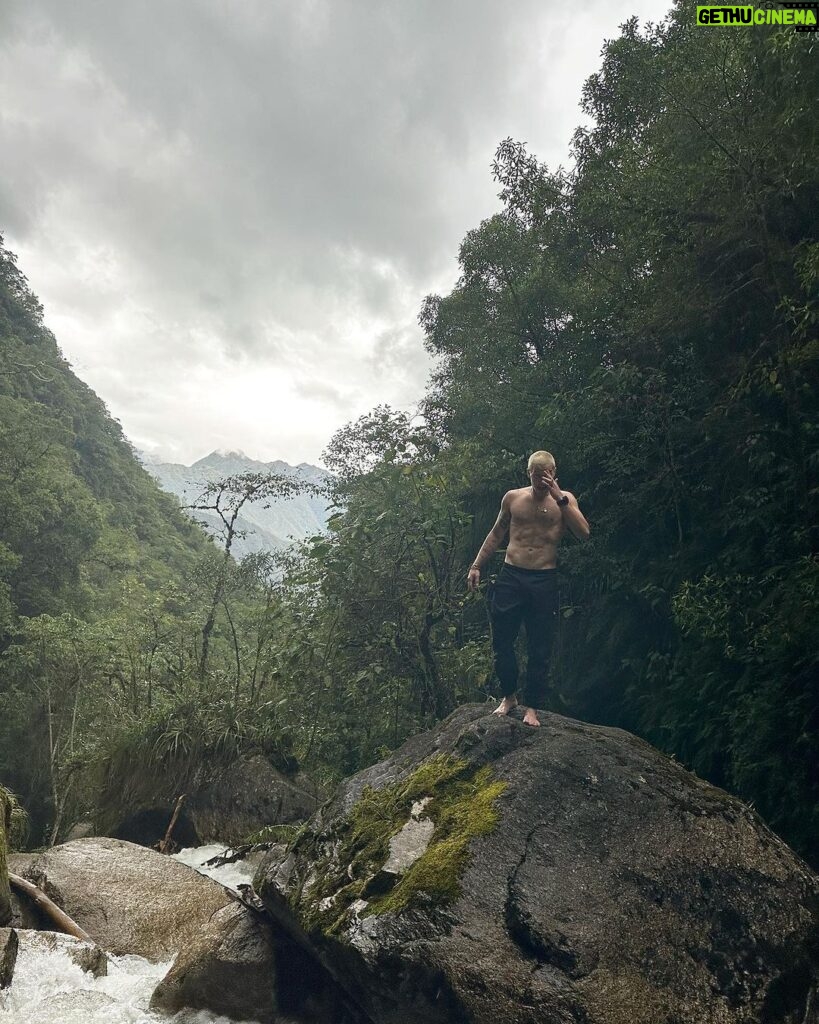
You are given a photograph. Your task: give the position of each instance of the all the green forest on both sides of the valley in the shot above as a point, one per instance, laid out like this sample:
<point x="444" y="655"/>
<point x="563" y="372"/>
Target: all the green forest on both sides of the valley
<point x="650" y="316"/>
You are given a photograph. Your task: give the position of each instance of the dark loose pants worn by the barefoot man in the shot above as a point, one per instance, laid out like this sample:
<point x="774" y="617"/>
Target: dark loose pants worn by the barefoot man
<point x="531" y="598"/>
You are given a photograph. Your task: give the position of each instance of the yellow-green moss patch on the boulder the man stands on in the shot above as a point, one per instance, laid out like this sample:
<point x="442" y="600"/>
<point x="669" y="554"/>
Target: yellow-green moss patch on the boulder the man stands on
<point x="462" y="806"/>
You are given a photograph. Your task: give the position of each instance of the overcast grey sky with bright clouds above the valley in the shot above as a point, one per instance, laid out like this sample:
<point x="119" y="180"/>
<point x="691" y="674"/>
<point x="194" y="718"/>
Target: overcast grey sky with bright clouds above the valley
<point x="233" y="209"/>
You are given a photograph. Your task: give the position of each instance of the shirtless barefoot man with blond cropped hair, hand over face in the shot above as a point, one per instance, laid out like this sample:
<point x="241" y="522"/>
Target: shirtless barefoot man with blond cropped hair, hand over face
<point x="537" y="519"/>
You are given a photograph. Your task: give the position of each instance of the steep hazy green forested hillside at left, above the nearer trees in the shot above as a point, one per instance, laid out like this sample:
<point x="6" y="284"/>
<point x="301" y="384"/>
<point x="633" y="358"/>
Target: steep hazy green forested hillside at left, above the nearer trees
<point x="78" y="510"/>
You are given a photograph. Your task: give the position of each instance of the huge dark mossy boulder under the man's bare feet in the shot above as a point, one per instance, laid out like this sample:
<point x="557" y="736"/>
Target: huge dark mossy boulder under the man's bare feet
<point x="493" y="873"/>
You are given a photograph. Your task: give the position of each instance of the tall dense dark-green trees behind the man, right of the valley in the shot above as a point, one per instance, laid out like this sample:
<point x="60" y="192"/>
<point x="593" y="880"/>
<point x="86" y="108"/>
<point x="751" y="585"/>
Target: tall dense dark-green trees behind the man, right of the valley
<point x="650" y="317"/>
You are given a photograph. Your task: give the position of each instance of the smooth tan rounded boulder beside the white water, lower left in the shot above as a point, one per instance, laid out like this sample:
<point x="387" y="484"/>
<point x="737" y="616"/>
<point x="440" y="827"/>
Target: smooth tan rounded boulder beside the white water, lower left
<point x="130" y="900"/>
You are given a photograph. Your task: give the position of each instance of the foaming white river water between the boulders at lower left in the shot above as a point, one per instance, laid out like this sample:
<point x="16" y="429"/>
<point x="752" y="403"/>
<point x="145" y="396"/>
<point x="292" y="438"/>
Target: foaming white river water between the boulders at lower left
<point x="50" y="989"/>
